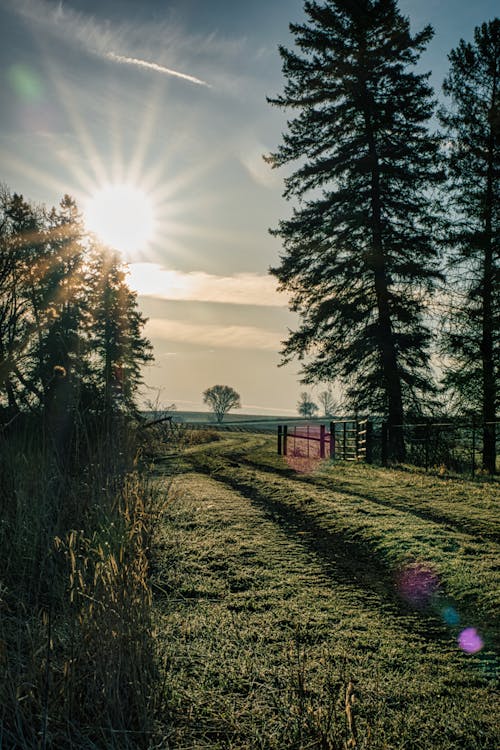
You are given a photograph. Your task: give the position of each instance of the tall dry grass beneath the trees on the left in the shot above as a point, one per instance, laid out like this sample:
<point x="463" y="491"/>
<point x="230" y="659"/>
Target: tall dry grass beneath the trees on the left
<point x="76" y="641"/>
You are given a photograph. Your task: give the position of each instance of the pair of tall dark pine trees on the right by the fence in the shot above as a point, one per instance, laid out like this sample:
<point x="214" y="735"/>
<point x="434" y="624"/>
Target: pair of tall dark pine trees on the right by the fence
<point x="391" y="254"/>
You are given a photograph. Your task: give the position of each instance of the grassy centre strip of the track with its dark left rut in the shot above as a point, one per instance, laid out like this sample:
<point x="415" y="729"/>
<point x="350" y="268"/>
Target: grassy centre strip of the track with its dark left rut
<point x="377" y="545"/>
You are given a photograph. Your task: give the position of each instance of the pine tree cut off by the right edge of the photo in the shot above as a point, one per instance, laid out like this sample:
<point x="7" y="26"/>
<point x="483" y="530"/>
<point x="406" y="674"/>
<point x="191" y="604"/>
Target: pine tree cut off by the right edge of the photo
<point x="472" y="125"/>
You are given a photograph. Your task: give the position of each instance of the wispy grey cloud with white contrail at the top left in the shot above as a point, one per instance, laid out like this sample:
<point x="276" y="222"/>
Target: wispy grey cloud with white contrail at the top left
<point x="102" y="39"/>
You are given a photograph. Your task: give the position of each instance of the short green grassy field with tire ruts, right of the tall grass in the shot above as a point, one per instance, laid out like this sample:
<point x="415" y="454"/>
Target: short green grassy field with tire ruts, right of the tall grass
<point x="324" y="606"/>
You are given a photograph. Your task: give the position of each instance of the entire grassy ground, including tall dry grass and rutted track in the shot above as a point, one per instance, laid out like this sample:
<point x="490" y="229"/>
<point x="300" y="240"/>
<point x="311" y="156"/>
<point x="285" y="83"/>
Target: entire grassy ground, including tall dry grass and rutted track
<point x="260" y="604"/>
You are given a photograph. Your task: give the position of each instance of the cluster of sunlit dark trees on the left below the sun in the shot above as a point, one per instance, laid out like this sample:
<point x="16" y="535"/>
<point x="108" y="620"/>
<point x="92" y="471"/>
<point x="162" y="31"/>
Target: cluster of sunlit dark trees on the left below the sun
<point x="71" y="340"/>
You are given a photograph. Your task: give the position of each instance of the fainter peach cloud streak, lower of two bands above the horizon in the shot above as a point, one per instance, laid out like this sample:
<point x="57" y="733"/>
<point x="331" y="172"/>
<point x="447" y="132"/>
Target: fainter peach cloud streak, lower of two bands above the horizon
<point x="218" y="337"/>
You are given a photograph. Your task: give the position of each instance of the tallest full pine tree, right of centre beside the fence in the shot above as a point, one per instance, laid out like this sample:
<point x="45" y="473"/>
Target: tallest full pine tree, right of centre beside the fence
<point x="359" y="256"/>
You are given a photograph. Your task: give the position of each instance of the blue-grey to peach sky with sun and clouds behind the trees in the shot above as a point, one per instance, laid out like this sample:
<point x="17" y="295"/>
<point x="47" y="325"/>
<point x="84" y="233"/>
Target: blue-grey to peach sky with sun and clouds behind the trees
<point x="166" y="99"/>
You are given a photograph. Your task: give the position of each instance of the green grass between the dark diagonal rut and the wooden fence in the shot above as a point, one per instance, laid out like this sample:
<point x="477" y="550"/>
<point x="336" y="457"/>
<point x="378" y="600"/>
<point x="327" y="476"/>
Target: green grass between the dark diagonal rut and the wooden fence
<point x="395" y="518"/>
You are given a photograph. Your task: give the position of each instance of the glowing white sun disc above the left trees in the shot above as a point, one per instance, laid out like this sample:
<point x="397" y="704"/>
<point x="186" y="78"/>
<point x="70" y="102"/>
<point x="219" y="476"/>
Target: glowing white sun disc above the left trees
<point x="122" y="216"/>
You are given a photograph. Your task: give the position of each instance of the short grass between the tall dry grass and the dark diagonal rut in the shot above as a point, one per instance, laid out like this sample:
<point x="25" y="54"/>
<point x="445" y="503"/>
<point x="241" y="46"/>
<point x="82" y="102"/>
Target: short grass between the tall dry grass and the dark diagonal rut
<point x="232" y="682"/>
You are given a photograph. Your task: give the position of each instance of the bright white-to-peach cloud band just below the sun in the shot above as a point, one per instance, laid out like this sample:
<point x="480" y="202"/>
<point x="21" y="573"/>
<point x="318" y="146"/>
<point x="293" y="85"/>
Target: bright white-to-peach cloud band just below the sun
<point x="152" y="280"/>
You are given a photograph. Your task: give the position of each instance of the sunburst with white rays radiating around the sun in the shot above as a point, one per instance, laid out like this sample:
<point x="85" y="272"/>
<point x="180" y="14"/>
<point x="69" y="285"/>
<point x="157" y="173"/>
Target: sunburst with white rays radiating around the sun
<point x="135" y="192"/>
